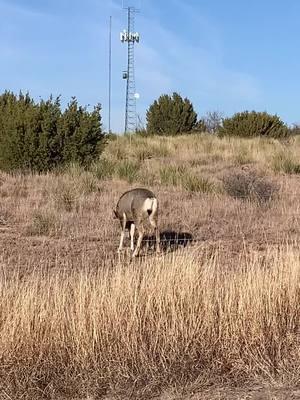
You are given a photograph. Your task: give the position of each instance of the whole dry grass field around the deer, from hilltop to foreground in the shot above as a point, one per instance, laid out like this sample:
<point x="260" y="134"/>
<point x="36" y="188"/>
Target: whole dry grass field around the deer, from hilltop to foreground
<point x="215" y="316"/>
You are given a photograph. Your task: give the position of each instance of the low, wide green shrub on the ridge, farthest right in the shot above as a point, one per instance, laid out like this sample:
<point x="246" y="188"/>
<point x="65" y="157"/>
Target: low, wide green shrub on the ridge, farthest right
<point x="251" y="124"/>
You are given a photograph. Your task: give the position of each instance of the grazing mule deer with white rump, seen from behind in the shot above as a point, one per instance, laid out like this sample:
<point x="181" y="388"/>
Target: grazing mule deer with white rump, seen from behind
<point x="133" y="208"/>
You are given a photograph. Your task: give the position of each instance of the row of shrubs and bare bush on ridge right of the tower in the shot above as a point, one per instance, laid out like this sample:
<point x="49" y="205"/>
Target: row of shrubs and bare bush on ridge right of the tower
<point x="174" y="115"/>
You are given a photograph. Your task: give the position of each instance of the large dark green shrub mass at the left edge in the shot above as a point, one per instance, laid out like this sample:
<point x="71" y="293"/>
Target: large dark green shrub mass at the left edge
<point x="40" y="136"/>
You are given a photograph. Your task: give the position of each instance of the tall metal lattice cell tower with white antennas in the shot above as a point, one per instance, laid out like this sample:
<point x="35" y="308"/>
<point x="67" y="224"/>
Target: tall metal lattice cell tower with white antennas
<point x="130" y="37"/>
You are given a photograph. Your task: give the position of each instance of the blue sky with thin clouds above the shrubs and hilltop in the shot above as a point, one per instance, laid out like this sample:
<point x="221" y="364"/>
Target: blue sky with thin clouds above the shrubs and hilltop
<point x="225" y="56"/>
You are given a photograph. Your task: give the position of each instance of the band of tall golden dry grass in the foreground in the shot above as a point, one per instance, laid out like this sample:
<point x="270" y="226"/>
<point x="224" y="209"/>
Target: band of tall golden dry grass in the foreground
<point x="163" y="322"/>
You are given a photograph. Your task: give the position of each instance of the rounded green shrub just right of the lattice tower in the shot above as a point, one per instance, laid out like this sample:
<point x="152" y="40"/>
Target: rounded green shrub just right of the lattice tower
<point x="171" y="115"/>
